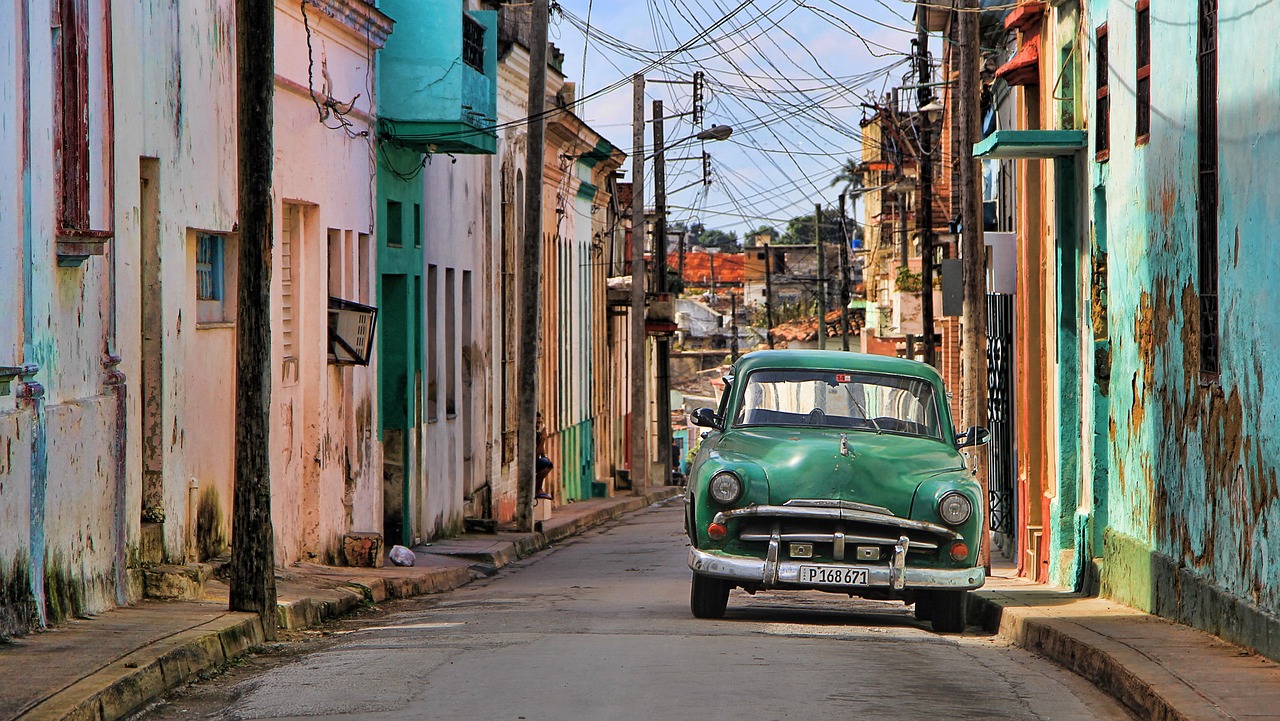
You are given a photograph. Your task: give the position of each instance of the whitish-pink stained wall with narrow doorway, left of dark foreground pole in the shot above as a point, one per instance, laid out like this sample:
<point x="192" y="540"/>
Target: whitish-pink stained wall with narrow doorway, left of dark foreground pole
<point x="176" y="125"/>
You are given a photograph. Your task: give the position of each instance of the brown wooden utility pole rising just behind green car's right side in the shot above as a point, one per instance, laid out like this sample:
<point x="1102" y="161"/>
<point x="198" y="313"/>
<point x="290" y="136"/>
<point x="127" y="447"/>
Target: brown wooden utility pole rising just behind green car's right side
<point x="973" y="258"/>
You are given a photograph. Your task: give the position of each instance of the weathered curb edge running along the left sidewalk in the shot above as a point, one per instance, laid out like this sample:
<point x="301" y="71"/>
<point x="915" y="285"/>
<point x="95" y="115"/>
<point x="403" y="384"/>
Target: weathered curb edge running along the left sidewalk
<point x="131" y="682"/>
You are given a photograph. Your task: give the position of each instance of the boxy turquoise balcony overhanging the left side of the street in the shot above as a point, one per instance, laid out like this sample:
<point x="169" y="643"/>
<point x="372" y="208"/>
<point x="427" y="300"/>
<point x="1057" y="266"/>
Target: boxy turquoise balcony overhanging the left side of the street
<point x="438" y="79"/>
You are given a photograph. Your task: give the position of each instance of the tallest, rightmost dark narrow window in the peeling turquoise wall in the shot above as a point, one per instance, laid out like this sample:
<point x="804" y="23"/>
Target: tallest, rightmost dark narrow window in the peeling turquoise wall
<point x="1206" y="207"/>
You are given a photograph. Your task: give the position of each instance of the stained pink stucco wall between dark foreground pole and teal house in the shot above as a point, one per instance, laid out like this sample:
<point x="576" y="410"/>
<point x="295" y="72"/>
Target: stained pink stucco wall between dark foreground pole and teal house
<point x="326" y="460"/>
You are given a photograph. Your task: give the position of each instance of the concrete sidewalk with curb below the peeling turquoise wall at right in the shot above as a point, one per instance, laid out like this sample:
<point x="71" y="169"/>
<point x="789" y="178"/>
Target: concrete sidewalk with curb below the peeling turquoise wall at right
<point x="1163" y="672"/>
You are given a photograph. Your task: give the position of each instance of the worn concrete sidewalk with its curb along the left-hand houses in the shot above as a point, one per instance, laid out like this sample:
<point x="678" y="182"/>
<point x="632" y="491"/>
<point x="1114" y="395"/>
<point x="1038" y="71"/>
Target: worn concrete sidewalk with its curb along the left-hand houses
<point x="109" y="667"/>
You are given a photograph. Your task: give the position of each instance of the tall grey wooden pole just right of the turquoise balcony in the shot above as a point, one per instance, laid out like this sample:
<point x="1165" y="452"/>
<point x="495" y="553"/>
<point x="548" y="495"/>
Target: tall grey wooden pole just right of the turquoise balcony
<point x="532" y="271"/>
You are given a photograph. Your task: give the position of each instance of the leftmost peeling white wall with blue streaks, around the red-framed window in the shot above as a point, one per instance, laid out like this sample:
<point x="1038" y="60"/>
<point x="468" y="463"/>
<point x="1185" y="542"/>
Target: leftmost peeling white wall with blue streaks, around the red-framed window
<point x="58" y="423"/>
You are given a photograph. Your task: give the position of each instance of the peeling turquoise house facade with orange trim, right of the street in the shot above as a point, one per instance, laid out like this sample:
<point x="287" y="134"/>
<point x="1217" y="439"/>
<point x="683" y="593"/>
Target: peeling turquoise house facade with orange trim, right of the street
<point x="1148" y="435"/>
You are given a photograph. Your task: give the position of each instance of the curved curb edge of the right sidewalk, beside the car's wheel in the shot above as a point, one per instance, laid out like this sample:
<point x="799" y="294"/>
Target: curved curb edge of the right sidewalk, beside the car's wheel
<point x="1121" y="672"/>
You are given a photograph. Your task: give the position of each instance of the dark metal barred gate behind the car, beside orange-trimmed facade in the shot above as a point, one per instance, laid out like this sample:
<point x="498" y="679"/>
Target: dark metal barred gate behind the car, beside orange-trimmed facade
<point x="1002" y="468"/>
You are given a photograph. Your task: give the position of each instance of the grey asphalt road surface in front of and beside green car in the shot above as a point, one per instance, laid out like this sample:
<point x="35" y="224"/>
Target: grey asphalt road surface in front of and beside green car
<point x="600" y="629"/>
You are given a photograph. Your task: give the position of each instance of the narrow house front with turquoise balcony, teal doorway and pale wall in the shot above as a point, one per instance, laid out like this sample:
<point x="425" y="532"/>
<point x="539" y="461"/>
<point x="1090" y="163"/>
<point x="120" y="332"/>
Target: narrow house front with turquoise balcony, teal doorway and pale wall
<point x="436" y="202"/>
